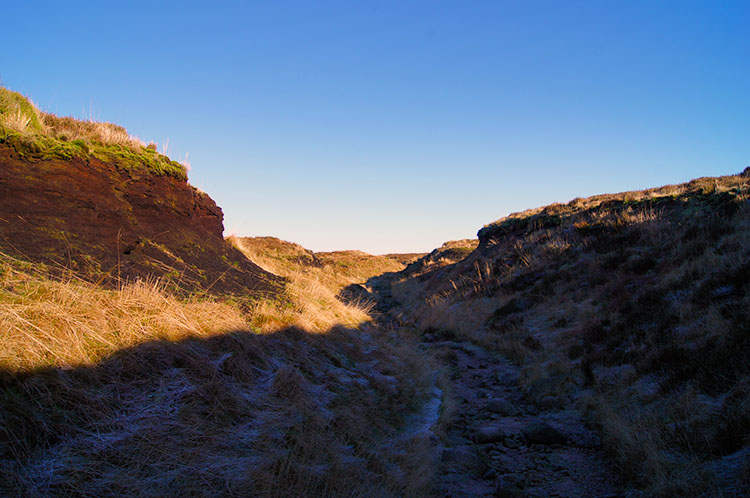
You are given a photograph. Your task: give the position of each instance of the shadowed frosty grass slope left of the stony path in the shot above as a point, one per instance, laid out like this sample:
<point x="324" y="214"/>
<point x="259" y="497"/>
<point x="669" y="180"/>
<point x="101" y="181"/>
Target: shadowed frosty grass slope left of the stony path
<point x="238" y="414"/>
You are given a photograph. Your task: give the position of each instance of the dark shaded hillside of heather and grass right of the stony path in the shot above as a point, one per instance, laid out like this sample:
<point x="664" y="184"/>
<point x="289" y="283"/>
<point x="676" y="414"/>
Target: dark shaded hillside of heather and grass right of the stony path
<point x="630" y="308"/>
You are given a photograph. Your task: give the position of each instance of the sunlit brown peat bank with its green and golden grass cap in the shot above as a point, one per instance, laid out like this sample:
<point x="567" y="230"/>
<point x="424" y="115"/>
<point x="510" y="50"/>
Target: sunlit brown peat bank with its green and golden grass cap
<point x="86" y="197"/>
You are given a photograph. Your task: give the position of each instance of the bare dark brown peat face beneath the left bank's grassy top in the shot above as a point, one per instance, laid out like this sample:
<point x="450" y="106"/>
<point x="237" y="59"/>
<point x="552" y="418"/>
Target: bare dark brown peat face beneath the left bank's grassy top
<point x="110" y="223"/>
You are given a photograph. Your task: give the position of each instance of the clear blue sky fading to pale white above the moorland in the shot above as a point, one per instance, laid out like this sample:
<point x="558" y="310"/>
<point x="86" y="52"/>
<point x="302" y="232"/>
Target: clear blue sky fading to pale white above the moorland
<point x="394" y="126"/>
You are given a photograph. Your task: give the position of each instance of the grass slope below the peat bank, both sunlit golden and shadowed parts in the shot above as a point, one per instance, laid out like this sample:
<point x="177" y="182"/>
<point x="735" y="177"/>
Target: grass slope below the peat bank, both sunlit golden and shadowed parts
<point x="134" y="392"/>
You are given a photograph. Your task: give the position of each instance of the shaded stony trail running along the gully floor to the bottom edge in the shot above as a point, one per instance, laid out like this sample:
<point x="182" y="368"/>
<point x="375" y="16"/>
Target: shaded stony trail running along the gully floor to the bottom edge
<point x="500" y="445"/>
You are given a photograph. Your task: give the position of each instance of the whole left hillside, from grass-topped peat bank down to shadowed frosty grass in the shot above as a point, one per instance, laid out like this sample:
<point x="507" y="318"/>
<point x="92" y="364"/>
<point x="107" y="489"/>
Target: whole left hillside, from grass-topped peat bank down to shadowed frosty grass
<point x="141" y="354"/>
